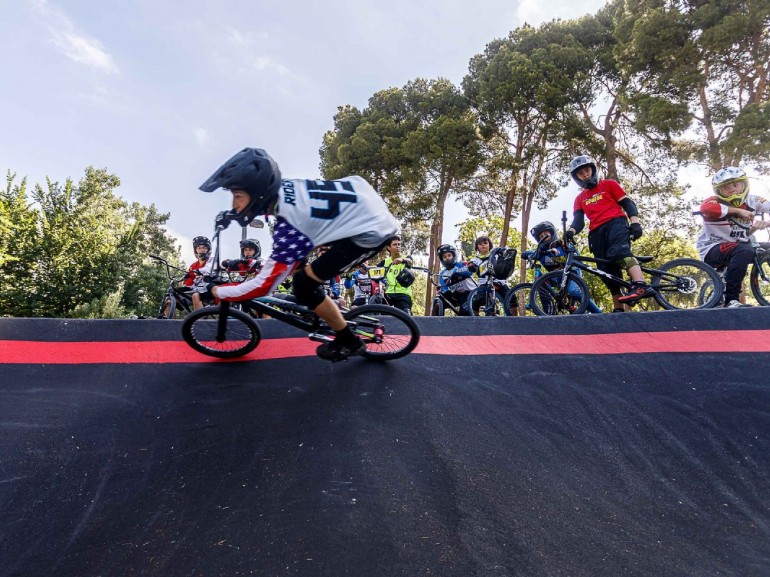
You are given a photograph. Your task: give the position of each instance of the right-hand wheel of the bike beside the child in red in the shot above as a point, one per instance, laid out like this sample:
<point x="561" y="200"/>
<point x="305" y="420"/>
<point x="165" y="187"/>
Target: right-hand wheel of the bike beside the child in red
<point x="679" y="285"/>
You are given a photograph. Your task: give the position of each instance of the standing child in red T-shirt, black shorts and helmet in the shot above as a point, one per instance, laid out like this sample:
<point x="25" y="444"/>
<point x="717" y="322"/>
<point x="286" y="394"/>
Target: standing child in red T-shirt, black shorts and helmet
<point x="609" y="211"/>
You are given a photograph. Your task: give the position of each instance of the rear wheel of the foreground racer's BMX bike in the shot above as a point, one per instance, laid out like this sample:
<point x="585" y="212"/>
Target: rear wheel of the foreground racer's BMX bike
<point x="388" y="332"/>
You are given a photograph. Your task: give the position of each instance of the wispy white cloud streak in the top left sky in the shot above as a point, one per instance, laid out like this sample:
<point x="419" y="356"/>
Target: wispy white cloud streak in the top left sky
<point x="75" y="45"/>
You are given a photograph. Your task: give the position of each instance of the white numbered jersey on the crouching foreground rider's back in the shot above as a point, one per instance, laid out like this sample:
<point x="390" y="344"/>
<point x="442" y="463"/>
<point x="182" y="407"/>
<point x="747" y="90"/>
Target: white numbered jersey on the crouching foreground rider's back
<point x="329" y="210"/>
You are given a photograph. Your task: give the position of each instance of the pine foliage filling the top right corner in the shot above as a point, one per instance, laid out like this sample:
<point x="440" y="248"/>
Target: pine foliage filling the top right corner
<point x="704" y="64"/>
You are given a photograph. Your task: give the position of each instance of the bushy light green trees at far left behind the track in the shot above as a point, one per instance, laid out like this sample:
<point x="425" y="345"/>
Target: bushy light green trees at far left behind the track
<point x="78" y="244"/>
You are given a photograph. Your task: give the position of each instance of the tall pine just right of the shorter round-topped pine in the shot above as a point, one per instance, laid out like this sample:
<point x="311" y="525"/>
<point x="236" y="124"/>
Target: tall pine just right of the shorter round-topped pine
<point x="523" y="87"/>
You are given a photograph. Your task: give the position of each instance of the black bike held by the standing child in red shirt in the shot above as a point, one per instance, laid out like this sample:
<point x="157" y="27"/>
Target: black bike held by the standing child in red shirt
<point x="677" y="284"/>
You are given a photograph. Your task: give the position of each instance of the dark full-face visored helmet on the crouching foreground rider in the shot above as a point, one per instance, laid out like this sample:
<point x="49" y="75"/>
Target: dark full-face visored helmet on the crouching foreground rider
<point x="254" y="171"/>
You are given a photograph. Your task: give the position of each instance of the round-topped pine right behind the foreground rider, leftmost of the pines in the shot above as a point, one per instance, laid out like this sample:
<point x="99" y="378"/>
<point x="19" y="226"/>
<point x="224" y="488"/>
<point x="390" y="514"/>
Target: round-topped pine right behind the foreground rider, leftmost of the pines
<point x="417" y="145"/>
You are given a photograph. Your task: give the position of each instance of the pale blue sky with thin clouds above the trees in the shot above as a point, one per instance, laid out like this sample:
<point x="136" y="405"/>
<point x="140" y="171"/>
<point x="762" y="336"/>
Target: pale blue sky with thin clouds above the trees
<point x="161" y="93"/>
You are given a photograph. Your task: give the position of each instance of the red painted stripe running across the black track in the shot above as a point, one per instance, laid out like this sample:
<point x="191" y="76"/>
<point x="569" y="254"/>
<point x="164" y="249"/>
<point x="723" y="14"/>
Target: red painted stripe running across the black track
<point x="153" y="352"/>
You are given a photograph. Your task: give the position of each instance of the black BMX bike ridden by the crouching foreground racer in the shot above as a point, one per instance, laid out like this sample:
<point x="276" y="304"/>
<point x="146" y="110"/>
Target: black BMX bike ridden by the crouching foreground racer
<point x="224" y="332"/>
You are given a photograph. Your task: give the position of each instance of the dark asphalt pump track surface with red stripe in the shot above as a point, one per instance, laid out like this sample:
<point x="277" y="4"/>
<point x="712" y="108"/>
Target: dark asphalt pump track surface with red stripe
<point x="604" y="445"/>
